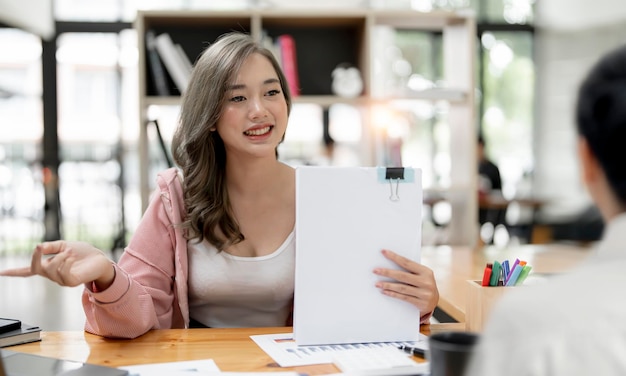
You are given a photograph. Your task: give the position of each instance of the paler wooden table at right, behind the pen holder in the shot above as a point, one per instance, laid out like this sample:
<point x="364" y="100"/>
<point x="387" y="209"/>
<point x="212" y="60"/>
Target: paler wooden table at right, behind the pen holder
<point x="453" y="266"/>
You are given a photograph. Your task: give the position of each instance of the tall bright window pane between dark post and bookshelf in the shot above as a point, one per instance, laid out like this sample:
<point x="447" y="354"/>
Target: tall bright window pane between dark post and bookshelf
<point x="96" y="100"/>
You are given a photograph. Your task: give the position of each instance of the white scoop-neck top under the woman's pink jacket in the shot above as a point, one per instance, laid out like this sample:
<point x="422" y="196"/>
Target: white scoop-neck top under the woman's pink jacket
<point x="228" y="291"/>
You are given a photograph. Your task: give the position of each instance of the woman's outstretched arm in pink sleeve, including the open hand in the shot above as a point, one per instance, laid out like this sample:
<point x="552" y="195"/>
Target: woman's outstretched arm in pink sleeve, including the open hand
<point x="130" y="298"/>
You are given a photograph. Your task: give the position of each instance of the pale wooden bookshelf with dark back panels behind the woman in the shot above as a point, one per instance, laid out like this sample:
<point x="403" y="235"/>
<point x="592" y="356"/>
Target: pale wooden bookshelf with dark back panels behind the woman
<point x="324" y="39"/>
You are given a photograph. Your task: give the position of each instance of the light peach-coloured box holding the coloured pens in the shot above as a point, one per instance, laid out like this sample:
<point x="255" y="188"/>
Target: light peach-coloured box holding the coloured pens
<point x="480" y="301"/>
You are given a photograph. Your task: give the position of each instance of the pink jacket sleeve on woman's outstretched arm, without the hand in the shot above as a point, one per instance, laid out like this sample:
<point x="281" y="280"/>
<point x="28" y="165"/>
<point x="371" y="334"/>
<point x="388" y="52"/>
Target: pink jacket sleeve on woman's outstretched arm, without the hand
<point x="141" y="296"/>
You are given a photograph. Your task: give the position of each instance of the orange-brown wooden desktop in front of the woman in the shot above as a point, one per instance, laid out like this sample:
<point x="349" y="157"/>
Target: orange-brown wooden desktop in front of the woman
<point x="231" y="349"/>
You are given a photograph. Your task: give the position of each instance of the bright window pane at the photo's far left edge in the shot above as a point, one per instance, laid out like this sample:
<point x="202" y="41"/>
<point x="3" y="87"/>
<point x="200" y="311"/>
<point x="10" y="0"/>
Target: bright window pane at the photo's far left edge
<point x="21" y="189"/>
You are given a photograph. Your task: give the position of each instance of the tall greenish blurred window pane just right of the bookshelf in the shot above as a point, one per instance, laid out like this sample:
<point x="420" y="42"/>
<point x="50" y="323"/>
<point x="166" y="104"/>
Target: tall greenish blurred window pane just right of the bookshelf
<point x="508" y="94"/>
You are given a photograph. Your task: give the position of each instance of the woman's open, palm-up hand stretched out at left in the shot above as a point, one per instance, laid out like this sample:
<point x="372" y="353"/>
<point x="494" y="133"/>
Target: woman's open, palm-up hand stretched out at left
<point x="68" y="264"/>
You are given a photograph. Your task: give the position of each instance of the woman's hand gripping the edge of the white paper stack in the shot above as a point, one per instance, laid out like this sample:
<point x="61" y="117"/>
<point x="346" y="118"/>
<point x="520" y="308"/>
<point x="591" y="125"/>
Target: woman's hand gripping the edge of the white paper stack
<point x="415" y="284"/>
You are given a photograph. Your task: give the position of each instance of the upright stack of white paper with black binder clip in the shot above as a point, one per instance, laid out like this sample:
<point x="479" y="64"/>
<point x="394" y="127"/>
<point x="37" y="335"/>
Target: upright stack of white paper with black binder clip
<point x="345" y="216"/>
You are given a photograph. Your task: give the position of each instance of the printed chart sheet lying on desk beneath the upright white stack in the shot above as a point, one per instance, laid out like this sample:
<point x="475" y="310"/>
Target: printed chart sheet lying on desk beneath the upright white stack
<point x="283" y="349"/>
